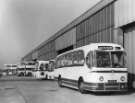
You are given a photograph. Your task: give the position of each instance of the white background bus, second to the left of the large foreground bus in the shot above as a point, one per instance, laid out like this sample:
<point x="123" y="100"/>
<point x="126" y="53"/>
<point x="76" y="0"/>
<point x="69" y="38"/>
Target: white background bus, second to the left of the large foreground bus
<point x="41" y="66"/>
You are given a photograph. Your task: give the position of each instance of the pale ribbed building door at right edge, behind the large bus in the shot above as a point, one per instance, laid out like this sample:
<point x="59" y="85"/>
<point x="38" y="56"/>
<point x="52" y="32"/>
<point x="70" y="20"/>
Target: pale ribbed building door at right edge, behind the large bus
<point x="129" y="44"/>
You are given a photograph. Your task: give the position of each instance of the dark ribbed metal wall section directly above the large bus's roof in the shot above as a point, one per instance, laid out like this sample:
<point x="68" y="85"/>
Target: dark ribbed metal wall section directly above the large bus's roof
<point x="97" y="28"/>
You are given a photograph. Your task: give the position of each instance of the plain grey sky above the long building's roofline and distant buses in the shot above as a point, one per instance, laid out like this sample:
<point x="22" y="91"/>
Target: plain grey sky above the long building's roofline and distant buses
<point x="24" y="24"/>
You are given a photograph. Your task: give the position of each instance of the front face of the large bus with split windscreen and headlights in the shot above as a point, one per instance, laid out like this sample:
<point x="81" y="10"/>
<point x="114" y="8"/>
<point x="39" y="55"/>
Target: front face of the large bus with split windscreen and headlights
<point x="109" y="72"/>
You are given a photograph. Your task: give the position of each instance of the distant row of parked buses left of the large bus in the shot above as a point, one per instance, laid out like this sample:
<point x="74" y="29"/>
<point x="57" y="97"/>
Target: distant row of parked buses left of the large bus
<point x="37" y="69"/>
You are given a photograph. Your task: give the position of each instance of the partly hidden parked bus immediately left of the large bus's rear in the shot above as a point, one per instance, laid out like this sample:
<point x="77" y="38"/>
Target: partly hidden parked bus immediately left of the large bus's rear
<point x="49" y="72"/>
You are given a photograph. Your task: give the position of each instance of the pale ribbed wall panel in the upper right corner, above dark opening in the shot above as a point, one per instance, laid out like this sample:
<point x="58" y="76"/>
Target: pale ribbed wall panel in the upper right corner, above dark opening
<point x="124" y="12"/>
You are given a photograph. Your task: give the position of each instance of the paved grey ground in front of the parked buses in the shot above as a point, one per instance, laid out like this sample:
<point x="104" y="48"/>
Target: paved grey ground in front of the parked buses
<point x="49" y="92"/>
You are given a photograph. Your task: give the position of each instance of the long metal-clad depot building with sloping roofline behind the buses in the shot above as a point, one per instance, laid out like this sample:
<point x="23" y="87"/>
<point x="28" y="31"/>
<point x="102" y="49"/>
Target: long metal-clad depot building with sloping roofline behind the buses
<point x="109" y="21"/>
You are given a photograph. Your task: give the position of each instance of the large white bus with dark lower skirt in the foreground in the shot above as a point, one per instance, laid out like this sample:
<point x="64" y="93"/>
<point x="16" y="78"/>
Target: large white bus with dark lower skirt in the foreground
<point x="97" y="67"/>
